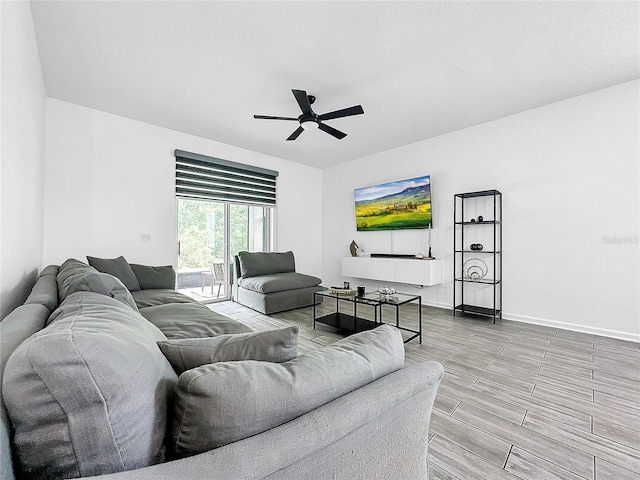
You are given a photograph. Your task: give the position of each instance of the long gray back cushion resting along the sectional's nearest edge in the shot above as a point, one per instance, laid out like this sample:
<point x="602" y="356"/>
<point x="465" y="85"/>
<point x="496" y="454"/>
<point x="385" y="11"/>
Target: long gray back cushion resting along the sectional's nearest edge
<point x="224" y="402"/>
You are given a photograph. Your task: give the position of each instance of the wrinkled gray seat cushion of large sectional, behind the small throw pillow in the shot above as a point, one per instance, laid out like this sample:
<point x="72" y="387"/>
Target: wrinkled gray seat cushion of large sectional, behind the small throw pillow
<point x="191" y="320"/>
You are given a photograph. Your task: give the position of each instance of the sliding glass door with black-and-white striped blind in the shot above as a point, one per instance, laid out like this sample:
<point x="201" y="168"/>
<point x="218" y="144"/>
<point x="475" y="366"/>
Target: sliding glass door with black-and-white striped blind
<point x="223" y="208"/>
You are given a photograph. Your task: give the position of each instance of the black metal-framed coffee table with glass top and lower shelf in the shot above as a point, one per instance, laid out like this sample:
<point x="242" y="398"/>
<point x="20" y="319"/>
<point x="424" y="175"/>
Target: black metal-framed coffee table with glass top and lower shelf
<point x="354" y="323"/>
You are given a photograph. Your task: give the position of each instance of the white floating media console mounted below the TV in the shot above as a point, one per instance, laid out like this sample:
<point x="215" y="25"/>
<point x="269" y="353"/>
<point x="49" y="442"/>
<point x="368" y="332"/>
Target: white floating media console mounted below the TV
<point x="408" y="270"/>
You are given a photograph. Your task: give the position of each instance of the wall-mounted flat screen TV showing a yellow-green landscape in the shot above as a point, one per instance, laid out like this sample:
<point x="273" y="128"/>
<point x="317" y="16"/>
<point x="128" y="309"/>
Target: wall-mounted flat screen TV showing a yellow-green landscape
<point x="394" y="206"/>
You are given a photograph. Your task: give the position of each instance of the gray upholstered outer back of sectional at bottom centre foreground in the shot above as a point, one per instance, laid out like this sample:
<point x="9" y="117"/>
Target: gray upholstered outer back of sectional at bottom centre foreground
<point x="378" y="431"/>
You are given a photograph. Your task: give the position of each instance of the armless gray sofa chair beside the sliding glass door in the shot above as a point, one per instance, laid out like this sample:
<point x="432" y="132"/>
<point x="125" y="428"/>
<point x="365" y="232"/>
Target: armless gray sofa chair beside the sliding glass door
<point x="268" y="282"/>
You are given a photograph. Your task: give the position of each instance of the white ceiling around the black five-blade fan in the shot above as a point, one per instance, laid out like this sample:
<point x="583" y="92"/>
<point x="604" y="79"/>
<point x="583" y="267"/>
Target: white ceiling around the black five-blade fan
<point x="419" y="69"/>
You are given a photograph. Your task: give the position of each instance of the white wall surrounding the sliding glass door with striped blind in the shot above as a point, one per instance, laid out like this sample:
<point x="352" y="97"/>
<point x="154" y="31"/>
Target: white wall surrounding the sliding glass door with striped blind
<point x="109" y="179"/>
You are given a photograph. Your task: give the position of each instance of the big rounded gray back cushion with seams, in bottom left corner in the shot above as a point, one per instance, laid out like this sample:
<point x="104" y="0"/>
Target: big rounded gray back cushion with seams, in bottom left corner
<point x="88" y="394"/>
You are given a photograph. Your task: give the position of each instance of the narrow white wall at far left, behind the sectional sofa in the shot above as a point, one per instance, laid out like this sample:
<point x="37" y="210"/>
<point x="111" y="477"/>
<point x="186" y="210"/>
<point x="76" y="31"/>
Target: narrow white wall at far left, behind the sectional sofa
<point x="22" y="166"/>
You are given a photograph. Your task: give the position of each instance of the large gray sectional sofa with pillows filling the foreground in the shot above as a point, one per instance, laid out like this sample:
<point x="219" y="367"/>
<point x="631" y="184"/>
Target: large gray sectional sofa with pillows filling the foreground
<point x="101" y="380"/>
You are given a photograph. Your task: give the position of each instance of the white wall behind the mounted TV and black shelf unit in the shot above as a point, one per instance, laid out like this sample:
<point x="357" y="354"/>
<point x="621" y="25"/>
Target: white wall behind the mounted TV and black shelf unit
<point x="569" y="176"/>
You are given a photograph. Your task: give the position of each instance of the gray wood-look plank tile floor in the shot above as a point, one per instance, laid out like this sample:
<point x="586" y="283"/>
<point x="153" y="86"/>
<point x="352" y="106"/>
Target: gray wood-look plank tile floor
<point x="518" y="401"/>
